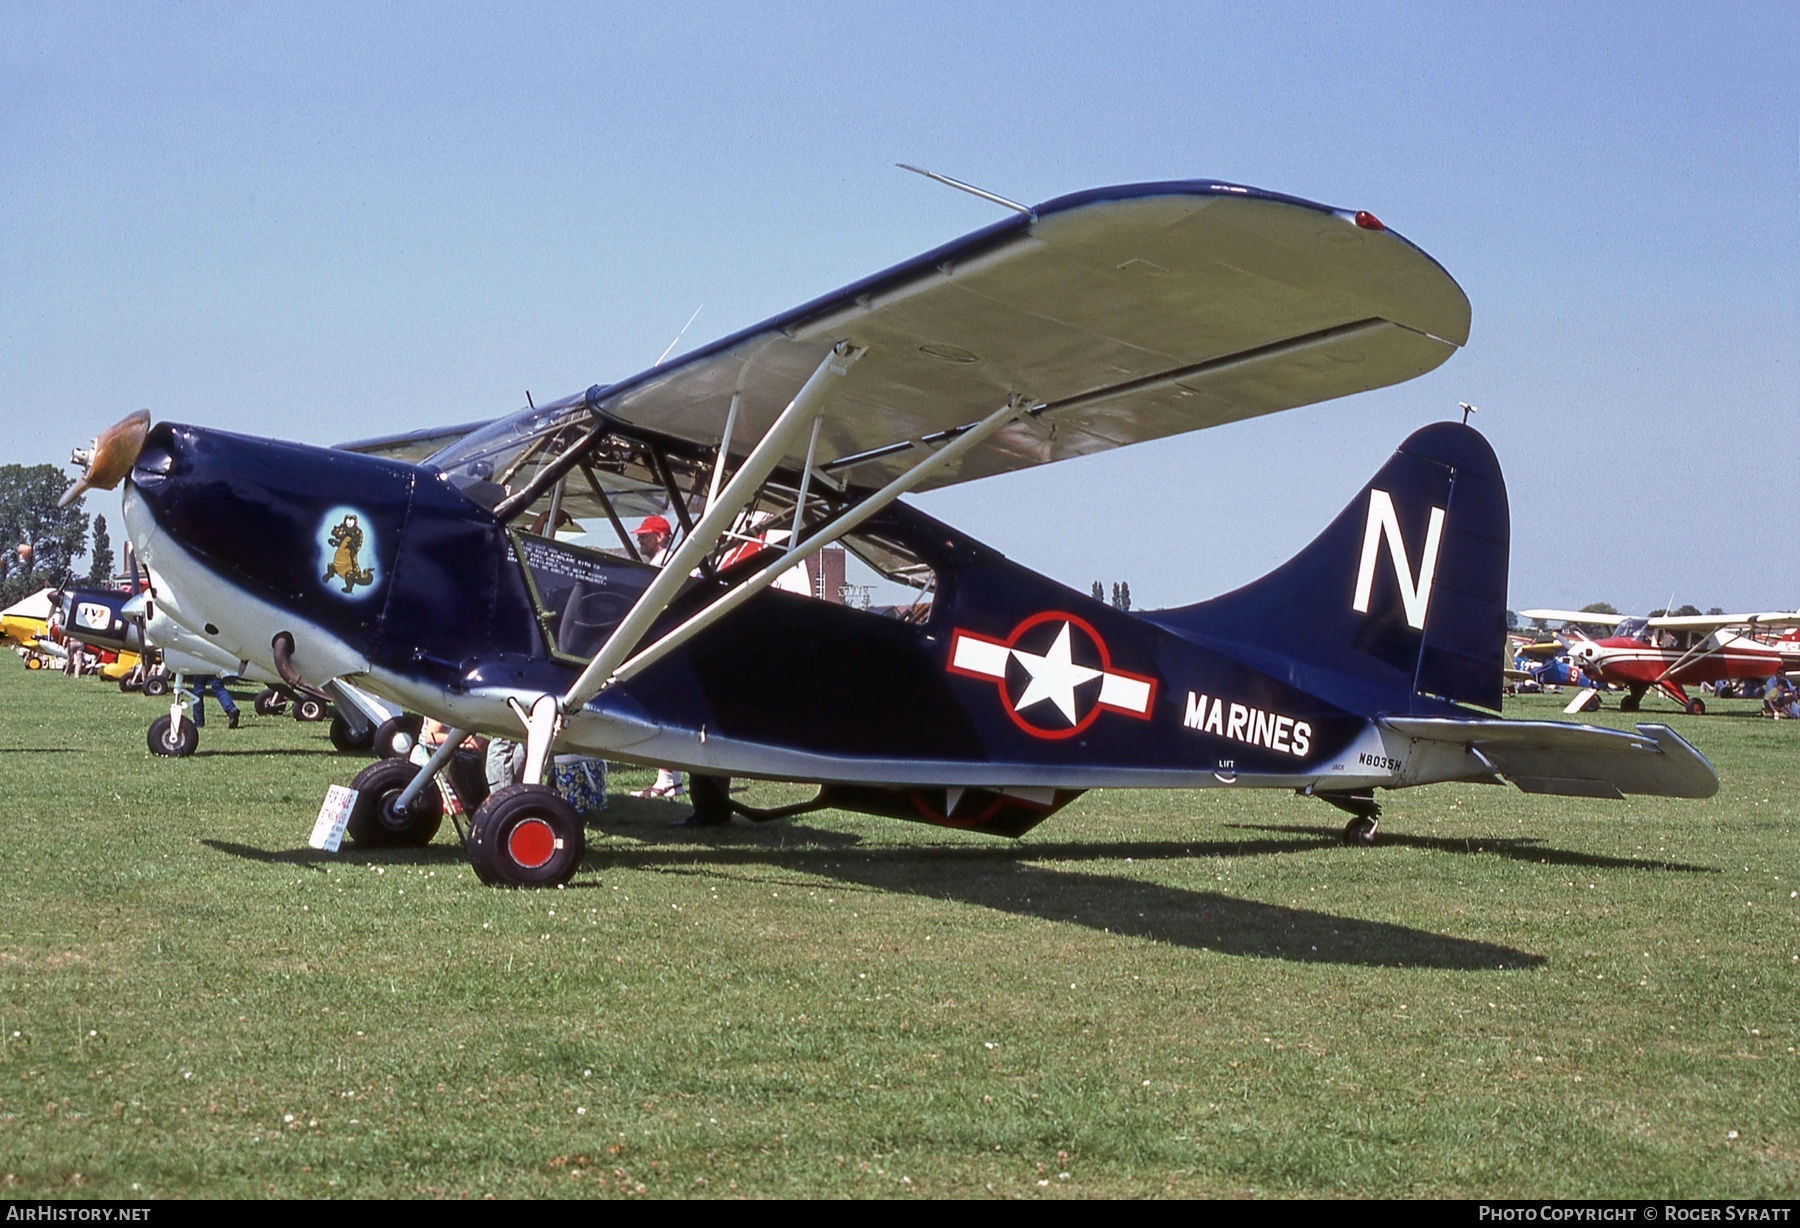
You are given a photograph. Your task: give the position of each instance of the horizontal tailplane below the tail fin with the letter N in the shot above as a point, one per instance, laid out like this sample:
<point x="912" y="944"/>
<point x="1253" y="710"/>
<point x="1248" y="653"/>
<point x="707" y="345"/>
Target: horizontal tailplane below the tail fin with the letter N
<point x="1576" y="761"/>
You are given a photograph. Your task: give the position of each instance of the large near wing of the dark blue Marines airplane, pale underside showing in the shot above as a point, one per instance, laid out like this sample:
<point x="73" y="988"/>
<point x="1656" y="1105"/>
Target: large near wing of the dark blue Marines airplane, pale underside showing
<point x="1128" y="312"/>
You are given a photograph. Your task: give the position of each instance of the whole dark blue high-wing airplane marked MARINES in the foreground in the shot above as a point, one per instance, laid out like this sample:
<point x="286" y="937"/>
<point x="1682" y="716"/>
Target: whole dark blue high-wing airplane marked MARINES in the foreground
<point x="1093" y="321"/>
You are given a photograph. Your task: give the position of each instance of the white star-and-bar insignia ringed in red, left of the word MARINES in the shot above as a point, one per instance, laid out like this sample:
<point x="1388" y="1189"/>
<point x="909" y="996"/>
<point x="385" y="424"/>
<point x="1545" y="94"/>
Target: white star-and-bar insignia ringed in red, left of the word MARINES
<point x="1054" y="674"/>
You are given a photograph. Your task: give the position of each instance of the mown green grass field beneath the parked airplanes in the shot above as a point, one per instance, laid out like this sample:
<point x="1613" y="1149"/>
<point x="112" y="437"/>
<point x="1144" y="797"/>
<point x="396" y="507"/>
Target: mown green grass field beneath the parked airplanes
<point x="1192" y="995"/>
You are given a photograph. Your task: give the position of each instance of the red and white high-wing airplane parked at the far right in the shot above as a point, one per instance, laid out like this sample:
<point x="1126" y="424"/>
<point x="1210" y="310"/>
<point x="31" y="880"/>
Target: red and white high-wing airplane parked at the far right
<point x="1673" y="653"/>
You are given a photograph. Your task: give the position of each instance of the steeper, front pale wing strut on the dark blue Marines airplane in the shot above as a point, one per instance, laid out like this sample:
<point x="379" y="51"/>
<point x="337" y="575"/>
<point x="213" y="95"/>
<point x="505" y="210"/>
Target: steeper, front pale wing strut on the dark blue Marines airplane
<point x="714" y="525"/>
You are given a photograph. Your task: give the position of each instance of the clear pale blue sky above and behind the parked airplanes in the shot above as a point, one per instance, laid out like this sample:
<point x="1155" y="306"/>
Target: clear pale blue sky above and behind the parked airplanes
<point x="328" y="222"/>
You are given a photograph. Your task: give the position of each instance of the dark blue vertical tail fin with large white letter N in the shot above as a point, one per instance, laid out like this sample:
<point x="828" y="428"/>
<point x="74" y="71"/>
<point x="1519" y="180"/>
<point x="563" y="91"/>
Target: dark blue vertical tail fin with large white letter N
<point x="1403" y="597"/>
